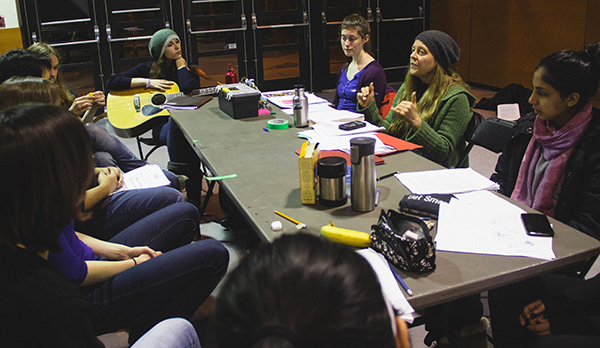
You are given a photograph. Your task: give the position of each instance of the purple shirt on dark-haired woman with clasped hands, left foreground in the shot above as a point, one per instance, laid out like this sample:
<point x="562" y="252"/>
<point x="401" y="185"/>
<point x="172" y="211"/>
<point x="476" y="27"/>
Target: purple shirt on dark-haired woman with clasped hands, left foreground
<point x="70" y="262"/>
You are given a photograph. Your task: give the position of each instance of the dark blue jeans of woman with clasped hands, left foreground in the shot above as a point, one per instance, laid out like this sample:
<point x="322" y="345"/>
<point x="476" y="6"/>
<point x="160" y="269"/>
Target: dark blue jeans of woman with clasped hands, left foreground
<point x="173" y="284"/>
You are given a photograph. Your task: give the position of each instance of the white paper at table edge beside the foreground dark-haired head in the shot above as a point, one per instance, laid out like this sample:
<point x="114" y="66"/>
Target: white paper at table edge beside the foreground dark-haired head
<point x="390" y="288"/>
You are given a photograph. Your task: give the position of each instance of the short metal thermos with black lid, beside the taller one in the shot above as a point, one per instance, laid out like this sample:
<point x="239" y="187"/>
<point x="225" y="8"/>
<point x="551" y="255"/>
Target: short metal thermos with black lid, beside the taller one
<point x="332" y="181"/>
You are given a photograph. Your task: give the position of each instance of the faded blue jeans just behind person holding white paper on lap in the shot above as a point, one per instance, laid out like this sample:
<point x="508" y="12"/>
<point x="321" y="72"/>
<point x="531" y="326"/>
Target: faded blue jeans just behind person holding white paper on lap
<point x="111" y="152"/>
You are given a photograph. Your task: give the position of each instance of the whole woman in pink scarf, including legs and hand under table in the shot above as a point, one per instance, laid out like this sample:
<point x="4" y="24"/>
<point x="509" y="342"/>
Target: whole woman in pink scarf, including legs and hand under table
<point x="552" y="164"/>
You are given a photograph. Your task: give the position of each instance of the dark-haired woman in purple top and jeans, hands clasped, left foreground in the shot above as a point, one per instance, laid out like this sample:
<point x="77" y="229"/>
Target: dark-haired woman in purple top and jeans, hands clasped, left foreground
<point x="127" y="281"/>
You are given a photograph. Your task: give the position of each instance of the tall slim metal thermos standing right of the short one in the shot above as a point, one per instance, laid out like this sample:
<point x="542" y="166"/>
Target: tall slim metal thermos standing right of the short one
<point x="362" y="177"/>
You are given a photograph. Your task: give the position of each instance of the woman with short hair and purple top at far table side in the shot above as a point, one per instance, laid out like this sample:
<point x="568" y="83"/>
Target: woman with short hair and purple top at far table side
<point x="362" y="69"/>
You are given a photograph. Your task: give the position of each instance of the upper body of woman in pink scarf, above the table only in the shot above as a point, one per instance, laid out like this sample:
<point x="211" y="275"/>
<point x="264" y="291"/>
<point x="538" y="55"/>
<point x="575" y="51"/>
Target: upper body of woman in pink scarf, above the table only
<point x="558" y="171"/>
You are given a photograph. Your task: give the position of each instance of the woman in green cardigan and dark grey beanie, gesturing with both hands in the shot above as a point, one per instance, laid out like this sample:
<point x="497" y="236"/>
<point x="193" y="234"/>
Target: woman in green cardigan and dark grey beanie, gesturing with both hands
<point x="433" y="105"/>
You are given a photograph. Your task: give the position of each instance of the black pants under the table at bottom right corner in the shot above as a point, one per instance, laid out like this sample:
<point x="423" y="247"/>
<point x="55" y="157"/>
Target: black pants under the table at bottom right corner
<point x="571" y="324"/>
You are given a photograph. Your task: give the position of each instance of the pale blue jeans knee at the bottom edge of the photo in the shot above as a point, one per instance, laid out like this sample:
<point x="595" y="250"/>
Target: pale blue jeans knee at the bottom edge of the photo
<point x="170" y="333"/>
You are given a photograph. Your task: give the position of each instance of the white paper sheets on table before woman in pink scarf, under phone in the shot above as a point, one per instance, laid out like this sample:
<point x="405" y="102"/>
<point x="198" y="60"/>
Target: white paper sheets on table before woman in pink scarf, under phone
<point x="476" y="220"/>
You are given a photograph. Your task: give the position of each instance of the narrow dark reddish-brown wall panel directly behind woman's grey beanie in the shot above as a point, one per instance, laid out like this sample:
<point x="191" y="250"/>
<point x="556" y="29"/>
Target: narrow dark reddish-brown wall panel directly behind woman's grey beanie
<point x="454" y="18"/>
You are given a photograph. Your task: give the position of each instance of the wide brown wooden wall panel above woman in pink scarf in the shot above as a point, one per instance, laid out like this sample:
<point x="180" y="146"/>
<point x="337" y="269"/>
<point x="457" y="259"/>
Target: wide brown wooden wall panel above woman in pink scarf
<point x="509" y="37"/>
